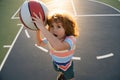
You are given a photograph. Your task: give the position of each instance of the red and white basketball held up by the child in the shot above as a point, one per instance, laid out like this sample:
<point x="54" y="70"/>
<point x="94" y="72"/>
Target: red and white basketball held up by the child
<point x="26" y="13"/>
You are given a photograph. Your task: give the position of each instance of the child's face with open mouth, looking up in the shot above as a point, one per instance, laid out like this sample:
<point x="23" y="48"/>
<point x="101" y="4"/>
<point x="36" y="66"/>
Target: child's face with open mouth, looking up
<point x="57" y="30"/>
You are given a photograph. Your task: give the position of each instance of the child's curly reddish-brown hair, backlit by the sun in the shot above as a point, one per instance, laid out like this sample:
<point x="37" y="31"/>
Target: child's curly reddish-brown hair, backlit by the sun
<point x="68" y="22"/>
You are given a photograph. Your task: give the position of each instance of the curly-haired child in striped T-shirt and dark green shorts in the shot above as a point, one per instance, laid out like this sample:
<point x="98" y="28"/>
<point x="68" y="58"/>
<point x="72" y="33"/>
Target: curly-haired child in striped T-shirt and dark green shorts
<point x="61" y="37"/>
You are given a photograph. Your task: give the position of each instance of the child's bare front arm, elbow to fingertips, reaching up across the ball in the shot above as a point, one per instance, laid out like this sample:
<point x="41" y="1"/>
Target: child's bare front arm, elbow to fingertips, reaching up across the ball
<point x="54" y="42"/>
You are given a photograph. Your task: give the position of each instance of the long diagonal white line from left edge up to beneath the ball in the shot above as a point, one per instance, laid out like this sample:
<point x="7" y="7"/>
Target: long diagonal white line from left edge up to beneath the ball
<point x="6" y="56"/>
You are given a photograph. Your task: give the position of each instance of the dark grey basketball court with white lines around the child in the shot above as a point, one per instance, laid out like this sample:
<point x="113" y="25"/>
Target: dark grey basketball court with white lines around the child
<point x="97" y="53"/>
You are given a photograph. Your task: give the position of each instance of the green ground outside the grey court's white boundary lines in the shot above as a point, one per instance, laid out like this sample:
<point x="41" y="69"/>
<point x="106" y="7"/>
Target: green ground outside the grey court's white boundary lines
<point x="9" y="27"/>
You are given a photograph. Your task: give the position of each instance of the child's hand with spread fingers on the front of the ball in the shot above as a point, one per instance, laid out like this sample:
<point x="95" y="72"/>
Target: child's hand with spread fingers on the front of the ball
<point x="38" y="20"/>
